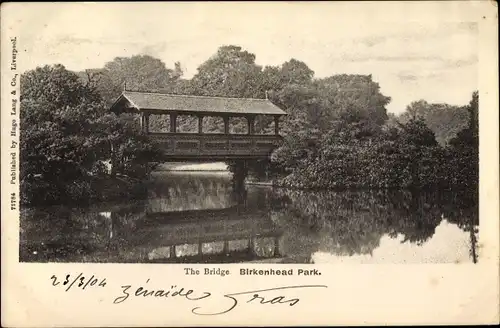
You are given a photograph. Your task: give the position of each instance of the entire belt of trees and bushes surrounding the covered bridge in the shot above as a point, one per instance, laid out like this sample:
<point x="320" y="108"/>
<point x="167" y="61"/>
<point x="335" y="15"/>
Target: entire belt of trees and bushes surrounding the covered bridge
<point x="337" y="133"/>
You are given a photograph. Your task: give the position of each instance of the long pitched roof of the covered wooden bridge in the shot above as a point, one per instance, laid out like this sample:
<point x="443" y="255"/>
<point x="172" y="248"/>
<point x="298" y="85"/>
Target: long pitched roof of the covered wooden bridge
<point x="194" y="104"/>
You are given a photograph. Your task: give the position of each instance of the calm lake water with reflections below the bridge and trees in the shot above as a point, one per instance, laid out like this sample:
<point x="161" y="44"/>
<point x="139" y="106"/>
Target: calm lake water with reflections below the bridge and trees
<point x="196" y="217"/>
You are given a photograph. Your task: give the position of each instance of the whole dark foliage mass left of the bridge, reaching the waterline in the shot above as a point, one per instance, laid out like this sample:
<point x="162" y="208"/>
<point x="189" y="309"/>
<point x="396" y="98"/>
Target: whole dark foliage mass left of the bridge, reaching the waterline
<point x="71" y="145"/>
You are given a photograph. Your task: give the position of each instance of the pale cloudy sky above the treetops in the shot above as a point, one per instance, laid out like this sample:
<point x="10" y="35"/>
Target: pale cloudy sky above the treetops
<point x="414" y="51"/>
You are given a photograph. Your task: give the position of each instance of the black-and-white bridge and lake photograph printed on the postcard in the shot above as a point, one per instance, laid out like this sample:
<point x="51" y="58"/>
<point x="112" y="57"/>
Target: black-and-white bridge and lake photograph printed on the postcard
<point x="146" y="138"/>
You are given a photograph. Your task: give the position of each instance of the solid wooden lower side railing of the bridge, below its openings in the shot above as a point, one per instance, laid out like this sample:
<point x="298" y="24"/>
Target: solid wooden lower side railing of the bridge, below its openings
<point x="216" y="145"/>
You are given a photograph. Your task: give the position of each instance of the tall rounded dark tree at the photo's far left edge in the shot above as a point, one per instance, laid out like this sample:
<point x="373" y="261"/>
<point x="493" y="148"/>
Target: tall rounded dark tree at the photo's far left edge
<point x="57" y="116"/>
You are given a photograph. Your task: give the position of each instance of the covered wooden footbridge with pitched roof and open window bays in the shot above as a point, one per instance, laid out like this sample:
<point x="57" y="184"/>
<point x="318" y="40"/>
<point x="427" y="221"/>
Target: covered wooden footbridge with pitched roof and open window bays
<point x="202" y="146"/>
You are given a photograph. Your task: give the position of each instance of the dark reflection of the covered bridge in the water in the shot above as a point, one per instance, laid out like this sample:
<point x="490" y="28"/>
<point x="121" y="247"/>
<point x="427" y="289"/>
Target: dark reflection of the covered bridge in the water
<point x="219" y="235"/>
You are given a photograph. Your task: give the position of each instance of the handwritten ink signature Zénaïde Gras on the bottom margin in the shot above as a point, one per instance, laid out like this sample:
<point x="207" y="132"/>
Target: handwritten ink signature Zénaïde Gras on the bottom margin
<point x="261" y="296"/>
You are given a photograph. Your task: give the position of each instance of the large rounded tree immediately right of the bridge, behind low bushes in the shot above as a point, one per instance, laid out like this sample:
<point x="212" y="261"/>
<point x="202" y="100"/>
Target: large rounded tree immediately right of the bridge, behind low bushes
<point x="325" y="115"/>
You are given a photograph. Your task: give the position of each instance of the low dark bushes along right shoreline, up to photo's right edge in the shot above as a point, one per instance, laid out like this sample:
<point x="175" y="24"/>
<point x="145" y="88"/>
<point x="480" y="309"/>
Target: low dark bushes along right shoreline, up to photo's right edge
<point x="357" y="155"/>
